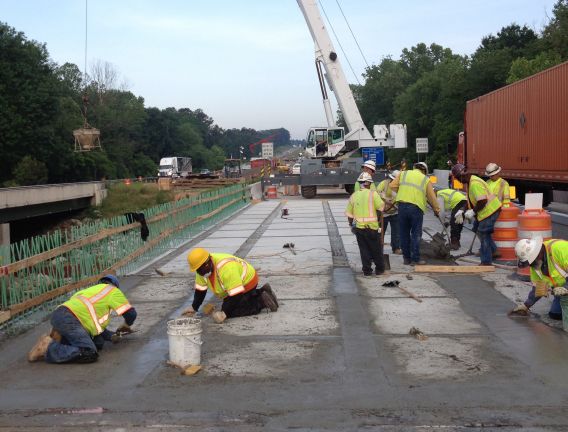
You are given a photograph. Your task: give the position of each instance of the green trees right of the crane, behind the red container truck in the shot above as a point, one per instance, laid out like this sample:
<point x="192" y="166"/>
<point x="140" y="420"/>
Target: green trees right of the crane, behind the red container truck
<point x="428" y="86"/>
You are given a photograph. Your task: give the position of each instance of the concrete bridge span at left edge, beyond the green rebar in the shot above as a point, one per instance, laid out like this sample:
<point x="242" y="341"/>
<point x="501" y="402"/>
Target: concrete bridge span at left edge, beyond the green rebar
<point x="17" y="203"/>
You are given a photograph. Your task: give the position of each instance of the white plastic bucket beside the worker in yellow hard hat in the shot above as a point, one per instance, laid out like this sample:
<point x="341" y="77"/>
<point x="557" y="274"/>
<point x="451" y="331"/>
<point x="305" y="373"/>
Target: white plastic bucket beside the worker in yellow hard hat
<point x="184" y="336"/>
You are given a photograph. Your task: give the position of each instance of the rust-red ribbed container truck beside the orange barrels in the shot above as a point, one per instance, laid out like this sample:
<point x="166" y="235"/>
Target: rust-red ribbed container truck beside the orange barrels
<point x="522" y="127"/>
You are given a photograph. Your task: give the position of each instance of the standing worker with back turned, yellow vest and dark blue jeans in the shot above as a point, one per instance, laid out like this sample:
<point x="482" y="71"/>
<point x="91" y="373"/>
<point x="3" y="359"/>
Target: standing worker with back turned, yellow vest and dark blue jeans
<point x="413" y="190"/>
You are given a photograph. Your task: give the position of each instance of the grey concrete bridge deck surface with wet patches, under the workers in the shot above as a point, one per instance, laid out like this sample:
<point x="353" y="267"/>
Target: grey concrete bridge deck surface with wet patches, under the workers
<point x="336" y="356"/>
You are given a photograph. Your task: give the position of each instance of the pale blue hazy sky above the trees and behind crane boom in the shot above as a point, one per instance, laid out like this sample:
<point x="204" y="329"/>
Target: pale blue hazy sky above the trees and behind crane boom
<point x="250" y="63"/>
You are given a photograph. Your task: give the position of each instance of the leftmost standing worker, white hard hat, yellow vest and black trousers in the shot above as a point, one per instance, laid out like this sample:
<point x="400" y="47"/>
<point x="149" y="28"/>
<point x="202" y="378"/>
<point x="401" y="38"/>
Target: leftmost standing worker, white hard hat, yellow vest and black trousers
<point x="362" y="216"/>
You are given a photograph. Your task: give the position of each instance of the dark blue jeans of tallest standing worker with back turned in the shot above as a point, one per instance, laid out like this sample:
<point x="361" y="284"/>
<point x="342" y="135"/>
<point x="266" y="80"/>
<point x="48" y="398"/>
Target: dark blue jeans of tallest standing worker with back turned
<point x="410" y="219"/>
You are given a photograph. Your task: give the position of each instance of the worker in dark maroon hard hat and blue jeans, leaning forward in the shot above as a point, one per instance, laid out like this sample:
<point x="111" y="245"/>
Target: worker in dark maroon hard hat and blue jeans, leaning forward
<point x="485" y="207"/>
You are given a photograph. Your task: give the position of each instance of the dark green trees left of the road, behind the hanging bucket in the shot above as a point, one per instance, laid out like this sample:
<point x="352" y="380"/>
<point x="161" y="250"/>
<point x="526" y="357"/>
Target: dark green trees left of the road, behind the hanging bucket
<point x="41" y="103"/>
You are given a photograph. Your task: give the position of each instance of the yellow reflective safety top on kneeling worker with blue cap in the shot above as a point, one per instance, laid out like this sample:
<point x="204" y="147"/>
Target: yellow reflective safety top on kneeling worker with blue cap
<point x="93" y="306"/>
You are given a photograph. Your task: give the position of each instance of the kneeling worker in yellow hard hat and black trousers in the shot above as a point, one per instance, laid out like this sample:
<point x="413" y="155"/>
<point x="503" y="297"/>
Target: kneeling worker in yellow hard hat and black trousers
<point x="231" y="279"/>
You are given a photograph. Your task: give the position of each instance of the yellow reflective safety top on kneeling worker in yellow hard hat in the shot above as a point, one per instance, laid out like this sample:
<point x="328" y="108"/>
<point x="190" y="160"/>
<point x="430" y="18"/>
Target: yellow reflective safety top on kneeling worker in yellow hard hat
<point x="230" y="276"/>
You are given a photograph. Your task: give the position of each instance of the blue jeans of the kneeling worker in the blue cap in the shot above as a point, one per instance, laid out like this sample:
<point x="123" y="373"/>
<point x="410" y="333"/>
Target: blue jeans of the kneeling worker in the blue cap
<point x="75" y="340"/>
